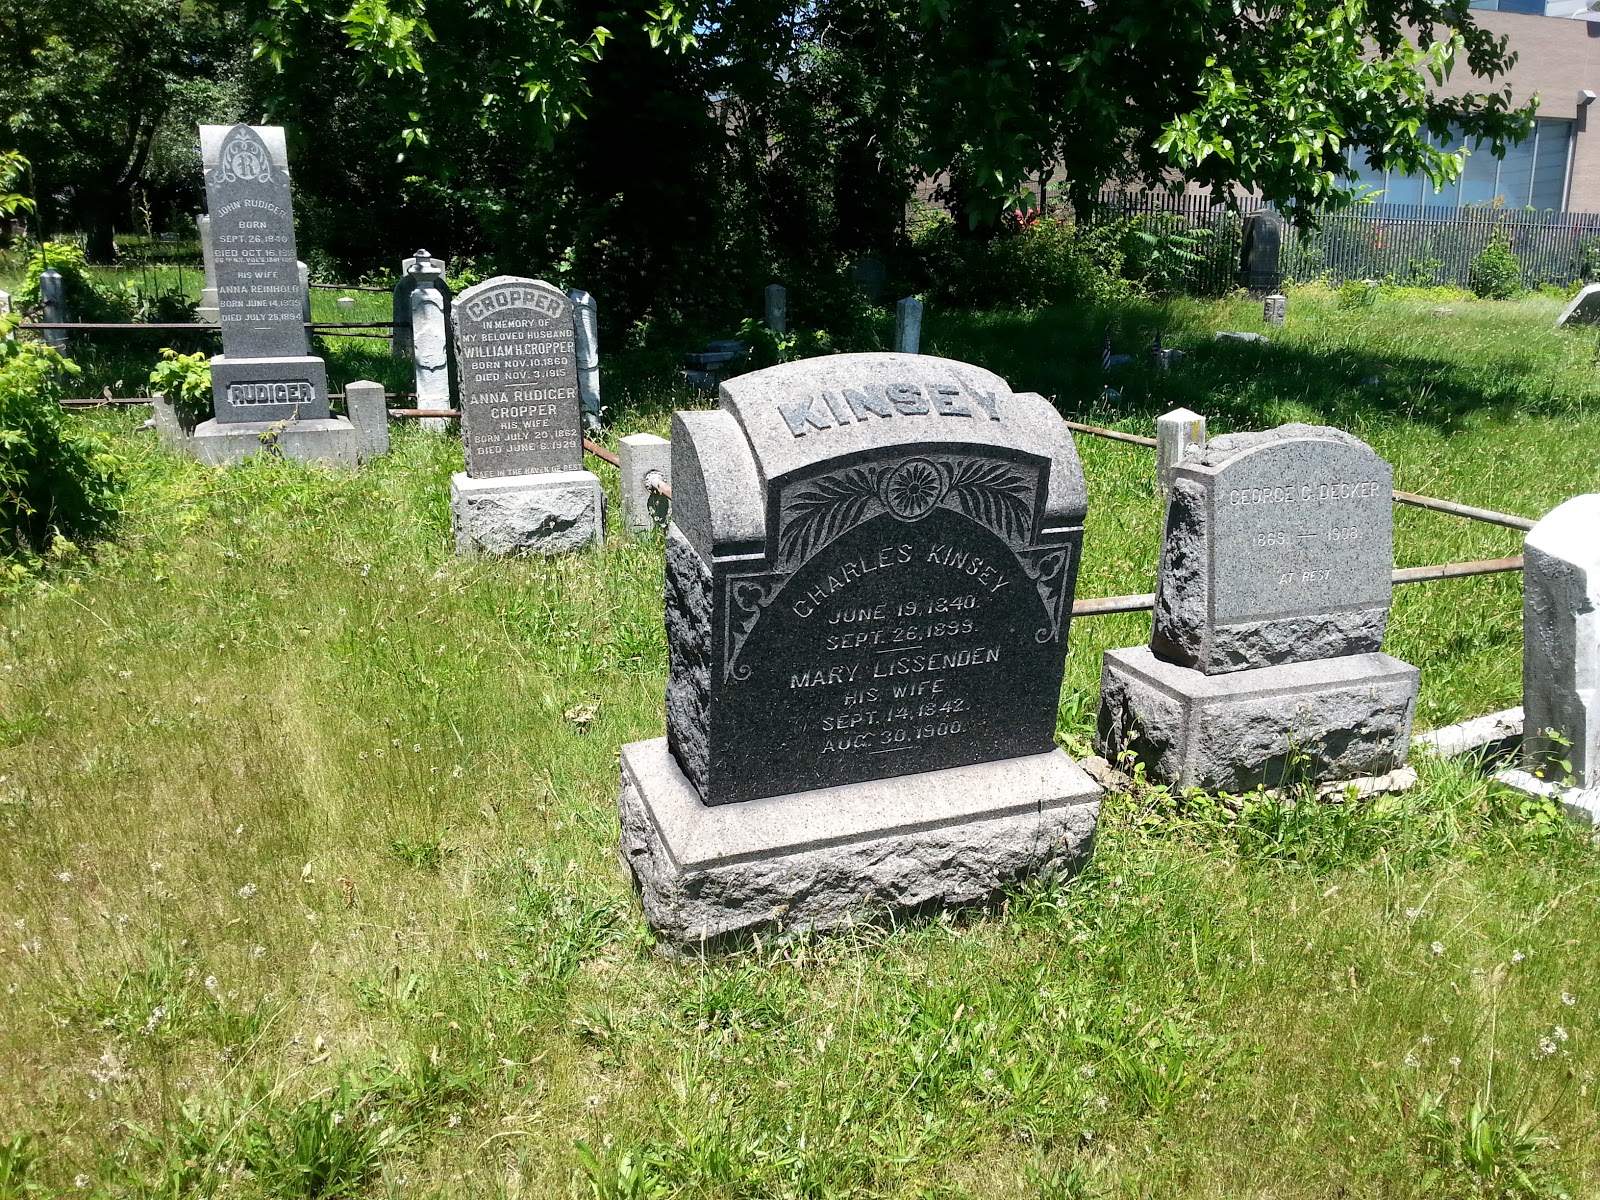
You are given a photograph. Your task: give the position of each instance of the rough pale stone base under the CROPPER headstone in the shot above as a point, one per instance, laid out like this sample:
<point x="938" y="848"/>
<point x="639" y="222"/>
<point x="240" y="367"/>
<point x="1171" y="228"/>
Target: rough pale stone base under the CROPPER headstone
<point x="551" y="513"/>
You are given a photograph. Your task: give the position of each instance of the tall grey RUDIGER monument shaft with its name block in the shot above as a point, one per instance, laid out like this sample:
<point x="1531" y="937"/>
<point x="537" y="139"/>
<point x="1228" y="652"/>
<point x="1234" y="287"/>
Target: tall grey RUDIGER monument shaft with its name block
<point x="265" y="372"/>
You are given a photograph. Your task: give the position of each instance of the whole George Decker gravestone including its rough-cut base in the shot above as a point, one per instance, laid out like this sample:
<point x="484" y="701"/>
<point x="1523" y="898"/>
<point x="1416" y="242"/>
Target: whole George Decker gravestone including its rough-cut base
<point x="1266" y="654"/>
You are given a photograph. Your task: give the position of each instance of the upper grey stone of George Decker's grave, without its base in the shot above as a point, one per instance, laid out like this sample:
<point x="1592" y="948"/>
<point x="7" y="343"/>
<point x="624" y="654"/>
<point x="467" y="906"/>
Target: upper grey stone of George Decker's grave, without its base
<point x="1279" y="550"/>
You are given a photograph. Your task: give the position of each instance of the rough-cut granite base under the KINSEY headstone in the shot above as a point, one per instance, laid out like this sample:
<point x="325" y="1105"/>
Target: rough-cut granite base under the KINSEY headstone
<point x="713" y="876"/>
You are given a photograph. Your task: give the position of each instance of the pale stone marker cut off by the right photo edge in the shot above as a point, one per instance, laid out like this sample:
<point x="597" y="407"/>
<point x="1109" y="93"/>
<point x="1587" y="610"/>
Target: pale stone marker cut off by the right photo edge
<point x="1561" y="658"/>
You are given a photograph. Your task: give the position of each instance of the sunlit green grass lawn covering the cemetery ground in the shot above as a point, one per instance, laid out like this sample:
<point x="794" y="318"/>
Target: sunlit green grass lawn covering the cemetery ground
<point x="310" y="879"/>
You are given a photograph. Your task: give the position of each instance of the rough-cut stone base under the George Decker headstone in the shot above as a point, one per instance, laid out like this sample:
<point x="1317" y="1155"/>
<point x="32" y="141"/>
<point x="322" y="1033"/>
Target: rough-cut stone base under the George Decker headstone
<point x="1228" y="734"/>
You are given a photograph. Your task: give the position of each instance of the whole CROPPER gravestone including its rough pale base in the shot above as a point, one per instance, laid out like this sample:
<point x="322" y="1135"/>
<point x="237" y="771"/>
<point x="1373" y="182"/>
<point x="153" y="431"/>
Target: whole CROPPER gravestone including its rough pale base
<point x="521" y="425"/>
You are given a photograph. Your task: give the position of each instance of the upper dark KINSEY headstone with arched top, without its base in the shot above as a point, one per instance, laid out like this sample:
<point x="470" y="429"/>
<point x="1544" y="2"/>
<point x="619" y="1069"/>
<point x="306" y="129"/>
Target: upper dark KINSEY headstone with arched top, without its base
<point x="870" y="574"/>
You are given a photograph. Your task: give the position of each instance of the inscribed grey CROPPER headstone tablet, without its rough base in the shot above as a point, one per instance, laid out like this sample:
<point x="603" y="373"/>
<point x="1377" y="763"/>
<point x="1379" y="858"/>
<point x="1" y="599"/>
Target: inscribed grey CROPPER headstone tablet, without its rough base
<point x="518" y="362"/>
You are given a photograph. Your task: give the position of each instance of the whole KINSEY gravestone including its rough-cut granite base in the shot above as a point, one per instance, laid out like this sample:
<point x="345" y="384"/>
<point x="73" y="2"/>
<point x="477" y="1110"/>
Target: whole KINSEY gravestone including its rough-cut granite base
<point x="871" y="567"/>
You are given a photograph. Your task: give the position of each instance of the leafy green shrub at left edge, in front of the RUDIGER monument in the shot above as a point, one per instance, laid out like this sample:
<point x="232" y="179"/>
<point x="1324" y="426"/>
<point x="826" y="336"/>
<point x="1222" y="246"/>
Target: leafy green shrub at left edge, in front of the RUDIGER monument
<point x="57" y="481"/>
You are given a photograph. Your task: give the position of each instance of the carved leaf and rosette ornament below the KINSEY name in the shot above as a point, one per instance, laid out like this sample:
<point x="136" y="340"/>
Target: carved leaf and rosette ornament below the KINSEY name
<point x="996" y="495"/>
